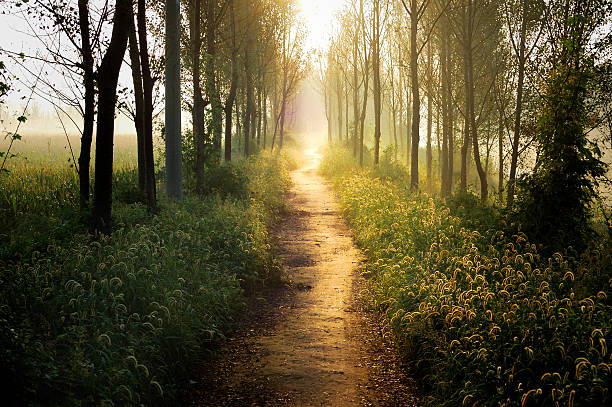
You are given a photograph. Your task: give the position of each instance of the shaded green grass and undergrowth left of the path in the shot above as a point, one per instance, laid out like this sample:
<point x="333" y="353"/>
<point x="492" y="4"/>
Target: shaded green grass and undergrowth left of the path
<point x="124" y="319"/>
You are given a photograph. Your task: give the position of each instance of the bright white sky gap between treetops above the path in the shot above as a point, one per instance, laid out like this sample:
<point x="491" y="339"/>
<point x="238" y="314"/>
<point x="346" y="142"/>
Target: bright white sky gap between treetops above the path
<point x="320" y="18"/>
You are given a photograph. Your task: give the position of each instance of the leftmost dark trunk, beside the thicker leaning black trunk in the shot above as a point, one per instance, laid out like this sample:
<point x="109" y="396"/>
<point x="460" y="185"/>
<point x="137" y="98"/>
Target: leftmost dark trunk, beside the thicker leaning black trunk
<point x="89" y="111"/>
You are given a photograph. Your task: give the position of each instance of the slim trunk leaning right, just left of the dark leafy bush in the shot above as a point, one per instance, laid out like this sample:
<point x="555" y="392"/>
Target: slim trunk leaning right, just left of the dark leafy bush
<point x="519" y="107"/>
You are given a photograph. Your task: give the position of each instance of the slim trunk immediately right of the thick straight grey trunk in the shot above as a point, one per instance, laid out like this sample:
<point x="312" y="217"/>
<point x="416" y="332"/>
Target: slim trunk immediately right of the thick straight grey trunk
<point x="197" y="112"/>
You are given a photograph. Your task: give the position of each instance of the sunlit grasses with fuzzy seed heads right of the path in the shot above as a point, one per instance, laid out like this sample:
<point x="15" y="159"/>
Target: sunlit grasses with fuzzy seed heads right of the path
<point x="483" y="317"/>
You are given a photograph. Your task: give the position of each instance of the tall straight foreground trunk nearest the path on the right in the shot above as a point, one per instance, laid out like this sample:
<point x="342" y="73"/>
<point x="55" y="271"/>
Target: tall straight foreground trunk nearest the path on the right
<point x="416" y="101"/>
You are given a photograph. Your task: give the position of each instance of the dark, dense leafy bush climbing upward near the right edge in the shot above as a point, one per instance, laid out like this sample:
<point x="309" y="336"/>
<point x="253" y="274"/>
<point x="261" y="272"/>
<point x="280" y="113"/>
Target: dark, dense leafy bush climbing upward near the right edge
<point x="554" y="204"/>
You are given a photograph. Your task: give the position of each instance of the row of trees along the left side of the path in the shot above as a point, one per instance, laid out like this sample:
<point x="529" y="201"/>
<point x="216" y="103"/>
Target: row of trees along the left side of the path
<point x="241" y="62"/>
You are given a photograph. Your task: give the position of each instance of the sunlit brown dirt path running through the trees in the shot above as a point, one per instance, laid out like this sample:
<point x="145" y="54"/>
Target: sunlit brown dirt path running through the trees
<point x="312" y="342"/>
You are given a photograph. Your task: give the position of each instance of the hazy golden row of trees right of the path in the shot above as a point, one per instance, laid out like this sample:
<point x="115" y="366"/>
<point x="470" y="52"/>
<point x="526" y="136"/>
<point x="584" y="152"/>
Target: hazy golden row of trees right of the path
<point x="485" y="73"/>
